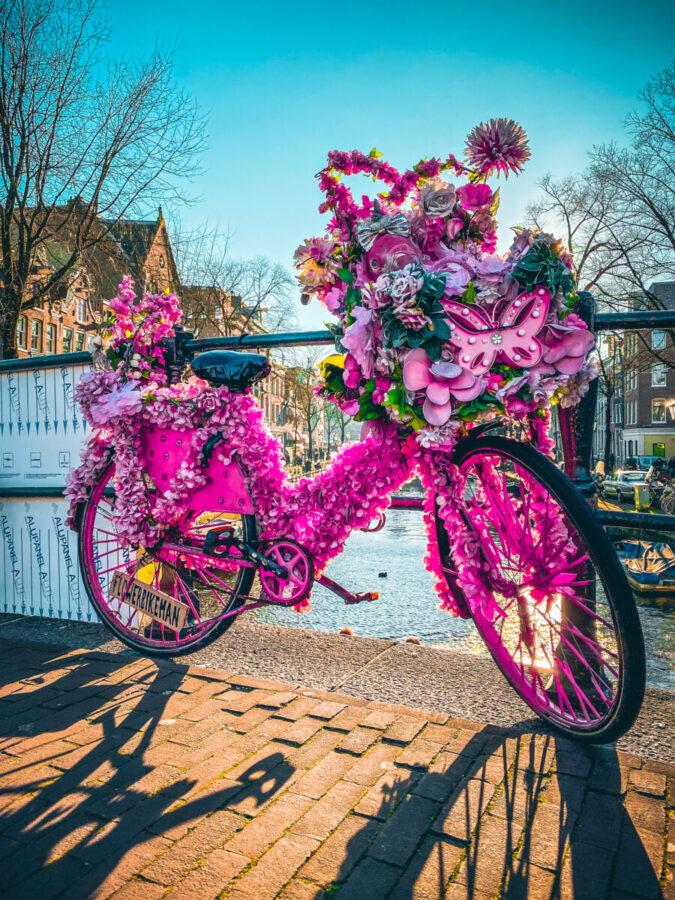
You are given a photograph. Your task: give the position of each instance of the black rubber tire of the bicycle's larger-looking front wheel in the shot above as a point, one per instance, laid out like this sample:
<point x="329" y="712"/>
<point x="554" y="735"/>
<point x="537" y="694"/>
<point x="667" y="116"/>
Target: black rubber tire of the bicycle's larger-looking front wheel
<point x="613" y="587"/>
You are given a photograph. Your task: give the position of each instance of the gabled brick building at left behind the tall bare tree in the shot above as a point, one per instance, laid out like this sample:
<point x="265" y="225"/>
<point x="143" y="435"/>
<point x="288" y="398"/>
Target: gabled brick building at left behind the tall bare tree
<point x="75" y="308"/>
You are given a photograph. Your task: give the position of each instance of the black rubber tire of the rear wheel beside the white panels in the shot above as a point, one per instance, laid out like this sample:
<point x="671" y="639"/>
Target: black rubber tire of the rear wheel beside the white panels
<point x="147" y="646"/>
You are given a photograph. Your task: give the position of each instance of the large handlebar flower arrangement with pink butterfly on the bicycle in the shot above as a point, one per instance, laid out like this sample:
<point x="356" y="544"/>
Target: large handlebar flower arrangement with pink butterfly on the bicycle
<point x="435" y="330"/>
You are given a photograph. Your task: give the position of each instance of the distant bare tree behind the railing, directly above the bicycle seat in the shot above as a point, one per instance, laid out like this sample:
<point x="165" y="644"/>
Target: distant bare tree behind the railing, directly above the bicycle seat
<point x="225" y="295"/>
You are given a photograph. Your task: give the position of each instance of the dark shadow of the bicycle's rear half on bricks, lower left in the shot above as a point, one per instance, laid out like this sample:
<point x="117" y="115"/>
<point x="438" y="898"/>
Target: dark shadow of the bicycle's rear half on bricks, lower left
<point x="66" y="833"/>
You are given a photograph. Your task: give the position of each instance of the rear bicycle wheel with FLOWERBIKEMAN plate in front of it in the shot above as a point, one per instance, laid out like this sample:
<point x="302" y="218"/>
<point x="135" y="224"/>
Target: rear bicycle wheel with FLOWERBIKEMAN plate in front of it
<point x="202" y="591"/>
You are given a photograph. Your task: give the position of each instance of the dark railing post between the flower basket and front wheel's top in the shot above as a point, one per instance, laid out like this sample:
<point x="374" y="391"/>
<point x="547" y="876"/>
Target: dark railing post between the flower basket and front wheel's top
<point x="577" y="422"/>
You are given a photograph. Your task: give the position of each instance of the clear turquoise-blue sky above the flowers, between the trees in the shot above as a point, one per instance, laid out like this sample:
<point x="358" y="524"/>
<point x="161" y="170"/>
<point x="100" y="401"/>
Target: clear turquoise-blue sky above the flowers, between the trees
<point x="284" y="83"/>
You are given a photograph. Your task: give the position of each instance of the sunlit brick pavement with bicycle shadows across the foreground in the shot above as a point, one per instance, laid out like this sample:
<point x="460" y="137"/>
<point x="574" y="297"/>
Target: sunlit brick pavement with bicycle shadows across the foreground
<point x="123" y="778"/>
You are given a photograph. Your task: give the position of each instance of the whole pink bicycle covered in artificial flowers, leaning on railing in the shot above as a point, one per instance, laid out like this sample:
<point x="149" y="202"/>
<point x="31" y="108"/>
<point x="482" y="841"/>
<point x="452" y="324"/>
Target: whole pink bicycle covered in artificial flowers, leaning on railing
<point x="186" y="517"/>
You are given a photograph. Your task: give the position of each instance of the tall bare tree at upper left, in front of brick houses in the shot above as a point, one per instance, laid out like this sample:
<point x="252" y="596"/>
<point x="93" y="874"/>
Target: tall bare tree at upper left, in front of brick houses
<point x="85" y="139"/>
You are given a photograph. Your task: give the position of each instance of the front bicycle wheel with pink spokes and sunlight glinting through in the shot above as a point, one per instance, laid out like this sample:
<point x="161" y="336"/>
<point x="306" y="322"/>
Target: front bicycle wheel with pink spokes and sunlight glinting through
<point x="547" y="591"/>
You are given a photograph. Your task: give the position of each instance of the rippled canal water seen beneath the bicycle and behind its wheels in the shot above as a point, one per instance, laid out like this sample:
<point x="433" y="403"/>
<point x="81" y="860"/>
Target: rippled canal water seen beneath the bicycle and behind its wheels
<point x="392" y="562"/>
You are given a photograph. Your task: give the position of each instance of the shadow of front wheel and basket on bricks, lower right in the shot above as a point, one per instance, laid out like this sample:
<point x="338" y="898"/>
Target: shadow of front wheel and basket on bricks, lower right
<point x="506" y="824"/>
